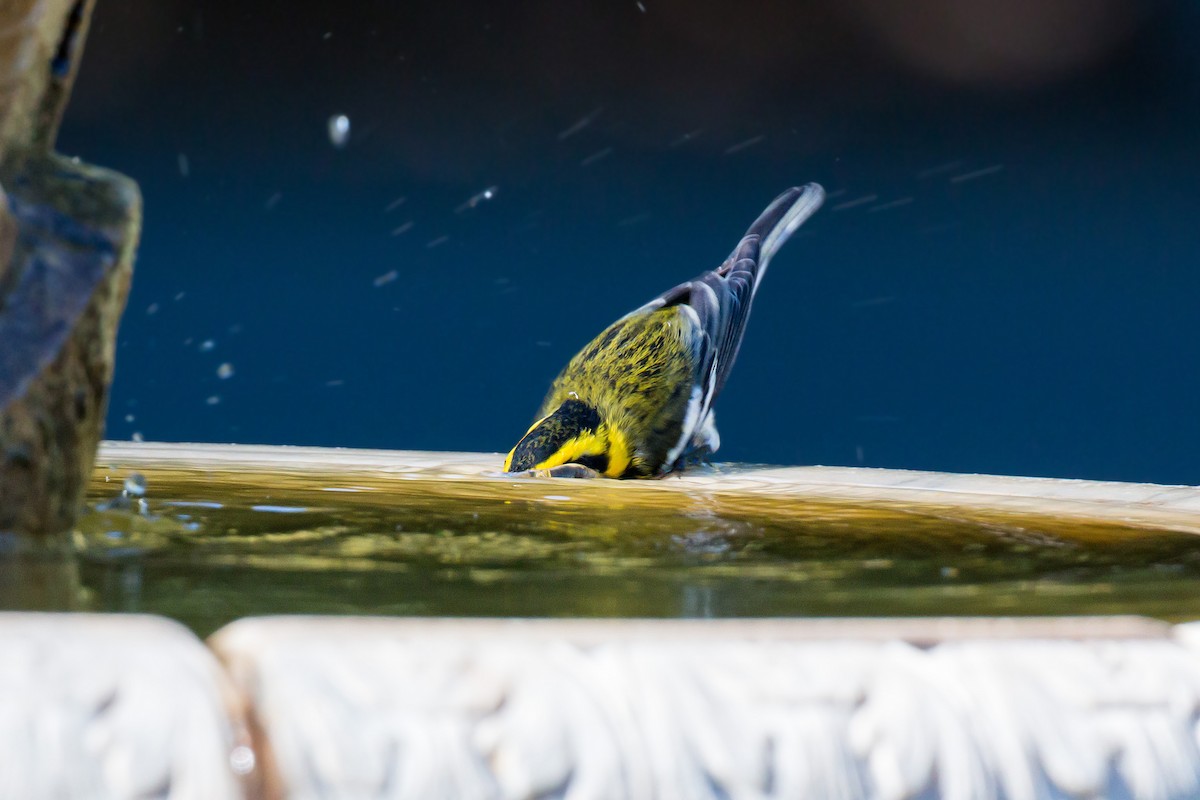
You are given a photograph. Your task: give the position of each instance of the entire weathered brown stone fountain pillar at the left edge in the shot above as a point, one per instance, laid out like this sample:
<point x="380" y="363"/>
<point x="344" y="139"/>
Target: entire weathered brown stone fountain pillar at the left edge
<point x="68" y="237"/>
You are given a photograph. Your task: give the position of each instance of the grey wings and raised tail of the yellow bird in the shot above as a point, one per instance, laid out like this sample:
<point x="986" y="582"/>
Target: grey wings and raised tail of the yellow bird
<point x="722" y="298"/>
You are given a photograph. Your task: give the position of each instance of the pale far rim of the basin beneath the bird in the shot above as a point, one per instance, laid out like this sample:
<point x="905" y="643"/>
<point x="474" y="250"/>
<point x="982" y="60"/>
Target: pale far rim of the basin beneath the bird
<point x="1177" y="508"/>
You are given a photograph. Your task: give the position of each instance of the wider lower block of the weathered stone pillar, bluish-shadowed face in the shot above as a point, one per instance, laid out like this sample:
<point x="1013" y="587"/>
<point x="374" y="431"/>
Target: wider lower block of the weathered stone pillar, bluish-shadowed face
<point x="70" y="276"/>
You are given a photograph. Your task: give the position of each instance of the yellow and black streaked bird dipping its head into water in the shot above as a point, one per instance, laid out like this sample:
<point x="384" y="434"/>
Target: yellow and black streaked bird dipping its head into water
<point x="638" y="400"/>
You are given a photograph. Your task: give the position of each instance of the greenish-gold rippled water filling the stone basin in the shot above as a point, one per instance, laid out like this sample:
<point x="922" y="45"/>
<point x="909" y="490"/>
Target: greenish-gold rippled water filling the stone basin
<point x="209" y="548"/>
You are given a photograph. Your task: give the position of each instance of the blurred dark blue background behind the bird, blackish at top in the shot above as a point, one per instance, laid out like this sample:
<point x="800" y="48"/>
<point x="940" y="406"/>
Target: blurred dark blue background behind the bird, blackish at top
<point x="1019" y="297"/>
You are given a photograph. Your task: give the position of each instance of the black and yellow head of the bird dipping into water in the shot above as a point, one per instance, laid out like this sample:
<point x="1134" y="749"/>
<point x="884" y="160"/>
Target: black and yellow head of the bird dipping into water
<point x="573" y="434"/>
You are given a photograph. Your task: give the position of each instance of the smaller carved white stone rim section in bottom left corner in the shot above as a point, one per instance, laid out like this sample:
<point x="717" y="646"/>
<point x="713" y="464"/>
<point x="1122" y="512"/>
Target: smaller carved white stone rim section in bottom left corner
<point x="112" y="707"/>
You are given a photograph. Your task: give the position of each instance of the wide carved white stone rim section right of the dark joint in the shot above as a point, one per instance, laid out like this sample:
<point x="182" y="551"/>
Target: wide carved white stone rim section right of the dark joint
<point x="529" y="709"/>
